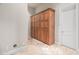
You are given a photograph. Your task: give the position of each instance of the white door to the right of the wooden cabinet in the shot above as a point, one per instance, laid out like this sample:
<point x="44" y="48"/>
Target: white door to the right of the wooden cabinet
<point x="67" y="26"/>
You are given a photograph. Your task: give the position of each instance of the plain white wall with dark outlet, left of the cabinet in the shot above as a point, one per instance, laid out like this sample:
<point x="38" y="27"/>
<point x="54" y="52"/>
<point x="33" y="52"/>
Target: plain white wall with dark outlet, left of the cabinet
<point x="14" y="20"/>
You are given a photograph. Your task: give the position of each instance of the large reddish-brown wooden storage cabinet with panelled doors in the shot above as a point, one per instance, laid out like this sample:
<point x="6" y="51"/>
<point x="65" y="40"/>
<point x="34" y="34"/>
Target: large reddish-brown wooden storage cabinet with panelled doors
<point x="43" y="26"/>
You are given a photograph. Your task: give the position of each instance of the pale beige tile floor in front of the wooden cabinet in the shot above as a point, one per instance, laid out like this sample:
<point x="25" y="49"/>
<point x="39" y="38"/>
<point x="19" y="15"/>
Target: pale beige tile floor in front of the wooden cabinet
<point x="36" y="47"/>
